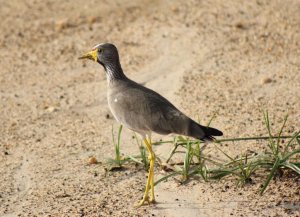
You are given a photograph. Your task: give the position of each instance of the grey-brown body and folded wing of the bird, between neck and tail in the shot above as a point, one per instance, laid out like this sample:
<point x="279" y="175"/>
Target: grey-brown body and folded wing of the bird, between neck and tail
<point x="141" y="109"/>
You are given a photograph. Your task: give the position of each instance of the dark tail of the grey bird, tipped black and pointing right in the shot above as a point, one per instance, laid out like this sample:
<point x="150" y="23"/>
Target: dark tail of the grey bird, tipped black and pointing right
<point x="203" y="133"/>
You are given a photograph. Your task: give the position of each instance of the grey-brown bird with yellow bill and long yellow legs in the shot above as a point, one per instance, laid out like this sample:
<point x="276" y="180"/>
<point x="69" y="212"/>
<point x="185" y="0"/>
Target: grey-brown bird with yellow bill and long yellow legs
<point x="143" y="110"/>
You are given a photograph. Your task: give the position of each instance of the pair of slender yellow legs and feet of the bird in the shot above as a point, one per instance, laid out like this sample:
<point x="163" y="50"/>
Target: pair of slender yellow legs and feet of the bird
<point x="150" y="180"/>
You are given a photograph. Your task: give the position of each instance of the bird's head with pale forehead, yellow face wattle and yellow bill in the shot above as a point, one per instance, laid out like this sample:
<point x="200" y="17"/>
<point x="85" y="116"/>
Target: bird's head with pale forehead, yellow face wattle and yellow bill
<point x="106" y="54"/>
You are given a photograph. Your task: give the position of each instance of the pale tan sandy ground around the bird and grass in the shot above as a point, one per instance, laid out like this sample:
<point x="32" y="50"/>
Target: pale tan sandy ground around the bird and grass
<point x="230" y="57"/>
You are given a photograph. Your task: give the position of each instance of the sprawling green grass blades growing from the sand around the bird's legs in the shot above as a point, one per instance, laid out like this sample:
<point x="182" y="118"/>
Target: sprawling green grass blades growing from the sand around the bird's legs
<point x="282" y="154"/>
